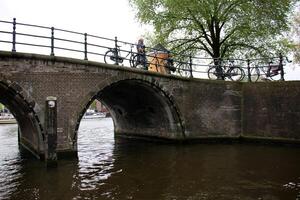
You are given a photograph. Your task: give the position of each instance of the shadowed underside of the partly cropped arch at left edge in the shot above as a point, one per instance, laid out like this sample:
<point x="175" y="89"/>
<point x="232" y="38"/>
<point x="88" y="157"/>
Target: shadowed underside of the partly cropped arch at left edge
<point x="30" y="132"/>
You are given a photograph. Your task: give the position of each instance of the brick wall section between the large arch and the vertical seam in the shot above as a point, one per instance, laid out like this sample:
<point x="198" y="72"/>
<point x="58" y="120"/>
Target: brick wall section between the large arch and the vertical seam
<point x="212" y="109"/>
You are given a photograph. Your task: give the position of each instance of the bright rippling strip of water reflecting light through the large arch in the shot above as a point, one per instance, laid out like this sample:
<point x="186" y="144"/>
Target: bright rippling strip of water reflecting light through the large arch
<point x="96" y="158"/>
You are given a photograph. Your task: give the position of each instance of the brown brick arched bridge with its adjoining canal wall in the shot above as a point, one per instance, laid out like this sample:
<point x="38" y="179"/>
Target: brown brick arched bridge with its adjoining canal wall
<point x="143" y="104"/>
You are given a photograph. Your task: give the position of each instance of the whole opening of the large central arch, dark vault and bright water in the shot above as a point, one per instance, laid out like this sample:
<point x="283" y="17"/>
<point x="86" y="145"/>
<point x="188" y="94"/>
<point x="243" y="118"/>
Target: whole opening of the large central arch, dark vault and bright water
<point x="138" y="109"/>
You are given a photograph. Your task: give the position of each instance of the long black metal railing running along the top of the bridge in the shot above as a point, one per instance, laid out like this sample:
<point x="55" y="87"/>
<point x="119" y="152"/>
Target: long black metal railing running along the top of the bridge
<point x="55" y="41"/>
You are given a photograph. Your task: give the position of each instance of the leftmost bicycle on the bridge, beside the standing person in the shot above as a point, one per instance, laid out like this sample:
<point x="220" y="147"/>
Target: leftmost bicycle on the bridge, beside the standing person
<point x="113" y="56"/>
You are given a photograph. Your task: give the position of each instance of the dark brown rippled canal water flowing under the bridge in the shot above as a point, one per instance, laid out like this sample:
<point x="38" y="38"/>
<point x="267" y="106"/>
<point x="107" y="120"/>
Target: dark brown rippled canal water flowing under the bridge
<point x="111" y="168"/>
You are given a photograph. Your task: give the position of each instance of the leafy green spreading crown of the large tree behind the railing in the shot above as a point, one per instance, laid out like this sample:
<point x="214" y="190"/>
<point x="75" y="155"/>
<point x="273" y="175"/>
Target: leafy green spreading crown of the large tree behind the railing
<point x="218" y="28"/>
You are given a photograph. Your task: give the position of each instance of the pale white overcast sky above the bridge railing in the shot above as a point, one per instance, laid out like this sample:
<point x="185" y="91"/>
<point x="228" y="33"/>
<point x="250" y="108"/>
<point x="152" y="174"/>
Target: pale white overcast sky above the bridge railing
<point x="106" y="18"/>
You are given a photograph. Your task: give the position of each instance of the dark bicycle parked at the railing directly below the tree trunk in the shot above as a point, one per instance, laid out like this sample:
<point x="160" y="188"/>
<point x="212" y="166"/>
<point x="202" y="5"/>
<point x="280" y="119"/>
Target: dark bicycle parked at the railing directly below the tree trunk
<point x="221" y="71"/>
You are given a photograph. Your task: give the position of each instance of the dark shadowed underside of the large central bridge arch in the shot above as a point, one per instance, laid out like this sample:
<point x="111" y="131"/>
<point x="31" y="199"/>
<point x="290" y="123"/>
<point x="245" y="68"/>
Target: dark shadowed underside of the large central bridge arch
<point x="139" y="109"/>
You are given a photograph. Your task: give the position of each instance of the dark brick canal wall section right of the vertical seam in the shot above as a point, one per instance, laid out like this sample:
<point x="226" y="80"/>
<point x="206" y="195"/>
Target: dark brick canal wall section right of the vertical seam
<point x="271" y="111"/>
